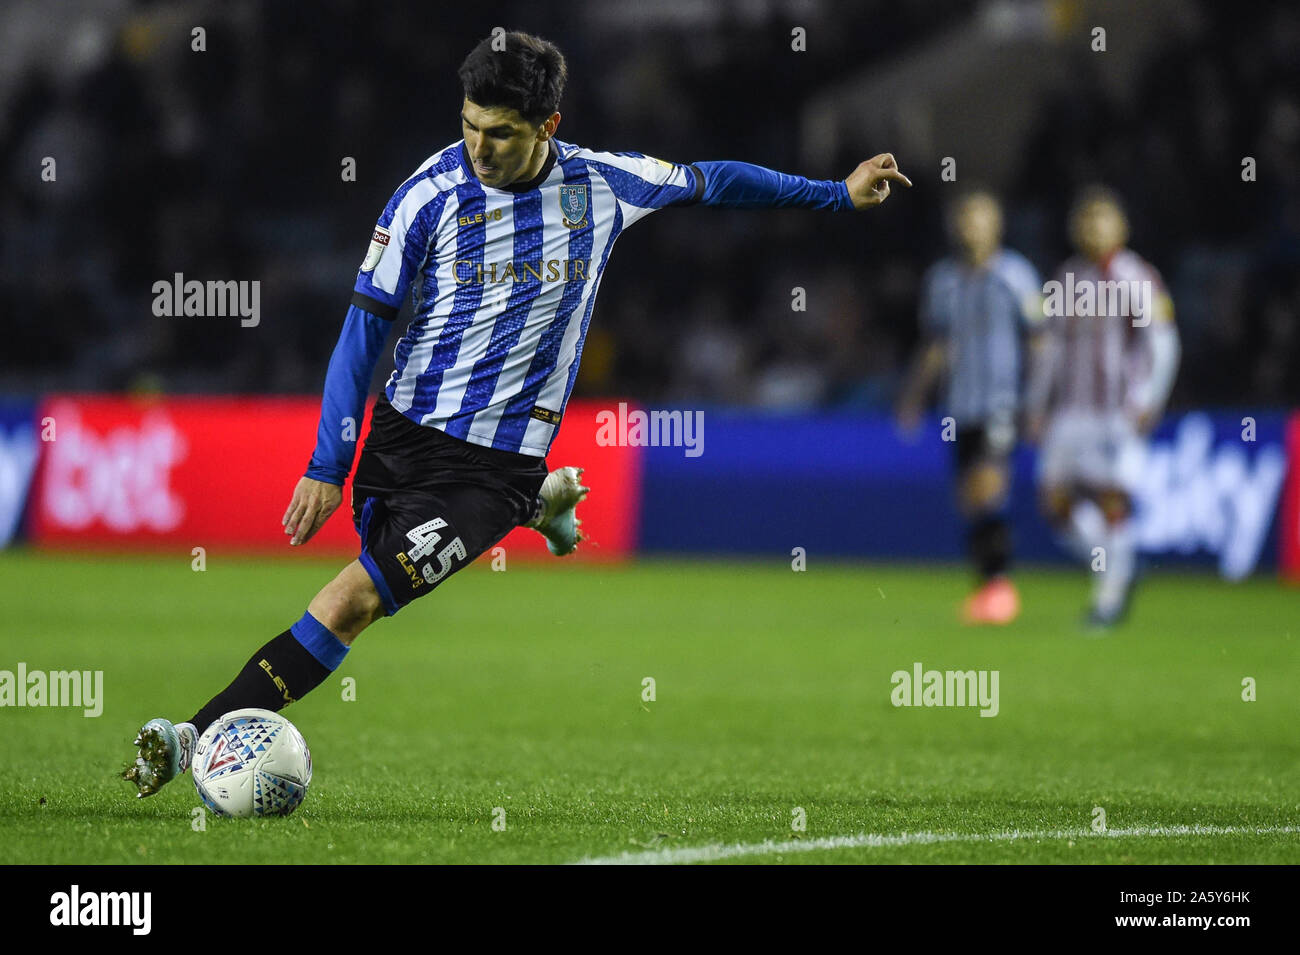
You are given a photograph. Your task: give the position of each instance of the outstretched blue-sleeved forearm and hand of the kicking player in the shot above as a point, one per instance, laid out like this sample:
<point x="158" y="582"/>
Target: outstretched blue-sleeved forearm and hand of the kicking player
<point x="747" y="186"/>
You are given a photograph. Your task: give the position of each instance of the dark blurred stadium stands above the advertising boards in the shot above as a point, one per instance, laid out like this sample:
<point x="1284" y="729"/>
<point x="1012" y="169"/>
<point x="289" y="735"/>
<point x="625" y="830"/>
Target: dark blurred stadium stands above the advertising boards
<point x="227" y="164"/>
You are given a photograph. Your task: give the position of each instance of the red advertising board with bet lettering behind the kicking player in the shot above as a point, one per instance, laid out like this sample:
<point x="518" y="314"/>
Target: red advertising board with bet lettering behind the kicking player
<point x="176" y="474"/>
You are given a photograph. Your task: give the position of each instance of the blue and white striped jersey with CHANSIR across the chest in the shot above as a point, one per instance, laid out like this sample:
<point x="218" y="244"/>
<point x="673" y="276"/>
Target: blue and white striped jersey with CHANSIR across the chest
<point x="504" y="284"/>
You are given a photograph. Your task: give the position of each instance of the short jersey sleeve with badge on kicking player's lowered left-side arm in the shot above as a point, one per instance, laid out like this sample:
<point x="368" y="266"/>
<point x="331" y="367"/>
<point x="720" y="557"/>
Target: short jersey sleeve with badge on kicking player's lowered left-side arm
<point x="398" y="248"/>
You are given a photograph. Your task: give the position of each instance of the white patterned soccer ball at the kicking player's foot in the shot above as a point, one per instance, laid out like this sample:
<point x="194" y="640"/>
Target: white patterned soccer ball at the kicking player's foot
<point x="253" y="763"/>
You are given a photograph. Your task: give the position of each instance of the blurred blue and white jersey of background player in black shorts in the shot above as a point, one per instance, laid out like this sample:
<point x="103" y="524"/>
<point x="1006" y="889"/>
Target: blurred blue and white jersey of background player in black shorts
<point x="983" y="314"/>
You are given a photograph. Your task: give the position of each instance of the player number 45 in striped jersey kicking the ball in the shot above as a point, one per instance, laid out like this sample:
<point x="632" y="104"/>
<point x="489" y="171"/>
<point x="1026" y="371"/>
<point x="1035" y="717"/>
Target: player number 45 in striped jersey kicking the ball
<point x="501" y="241"/>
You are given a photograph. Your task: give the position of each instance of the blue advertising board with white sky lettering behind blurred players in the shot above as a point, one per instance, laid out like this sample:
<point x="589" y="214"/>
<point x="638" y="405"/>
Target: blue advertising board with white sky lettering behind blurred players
<point x="855" y="487"/>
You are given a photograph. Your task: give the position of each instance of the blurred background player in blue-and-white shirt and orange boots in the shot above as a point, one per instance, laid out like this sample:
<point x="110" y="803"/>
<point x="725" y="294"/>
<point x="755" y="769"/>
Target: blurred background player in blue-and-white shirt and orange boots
<point x="978" y="307"/>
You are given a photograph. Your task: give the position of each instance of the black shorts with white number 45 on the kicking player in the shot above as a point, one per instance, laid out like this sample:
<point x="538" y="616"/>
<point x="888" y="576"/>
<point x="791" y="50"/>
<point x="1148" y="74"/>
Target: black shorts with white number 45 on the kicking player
<point x="426" y="503"/>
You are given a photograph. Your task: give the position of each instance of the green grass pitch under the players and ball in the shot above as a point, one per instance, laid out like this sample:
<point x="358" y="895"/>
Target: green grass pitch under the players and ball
<point x="523" y="692"/>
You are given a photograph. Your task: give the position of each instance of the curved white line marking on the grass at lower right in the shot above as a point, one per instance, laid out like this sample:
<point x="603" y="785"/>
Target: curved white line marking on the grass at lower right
<point x="708" y="854"/>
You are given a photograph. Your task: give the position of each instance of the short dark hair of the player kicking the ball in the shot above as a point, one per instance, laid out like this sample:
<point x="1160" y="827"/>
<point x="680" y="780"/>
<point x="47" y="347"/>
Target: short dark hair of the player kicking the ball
<point x="527" y="76"/>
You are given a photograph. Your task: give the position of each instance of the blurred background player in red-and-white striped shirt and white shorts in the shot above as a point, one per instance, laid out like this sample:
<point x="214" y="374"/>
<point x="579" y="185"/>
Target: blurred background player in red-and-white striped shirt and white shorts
<point x="1104" y="374"/>
